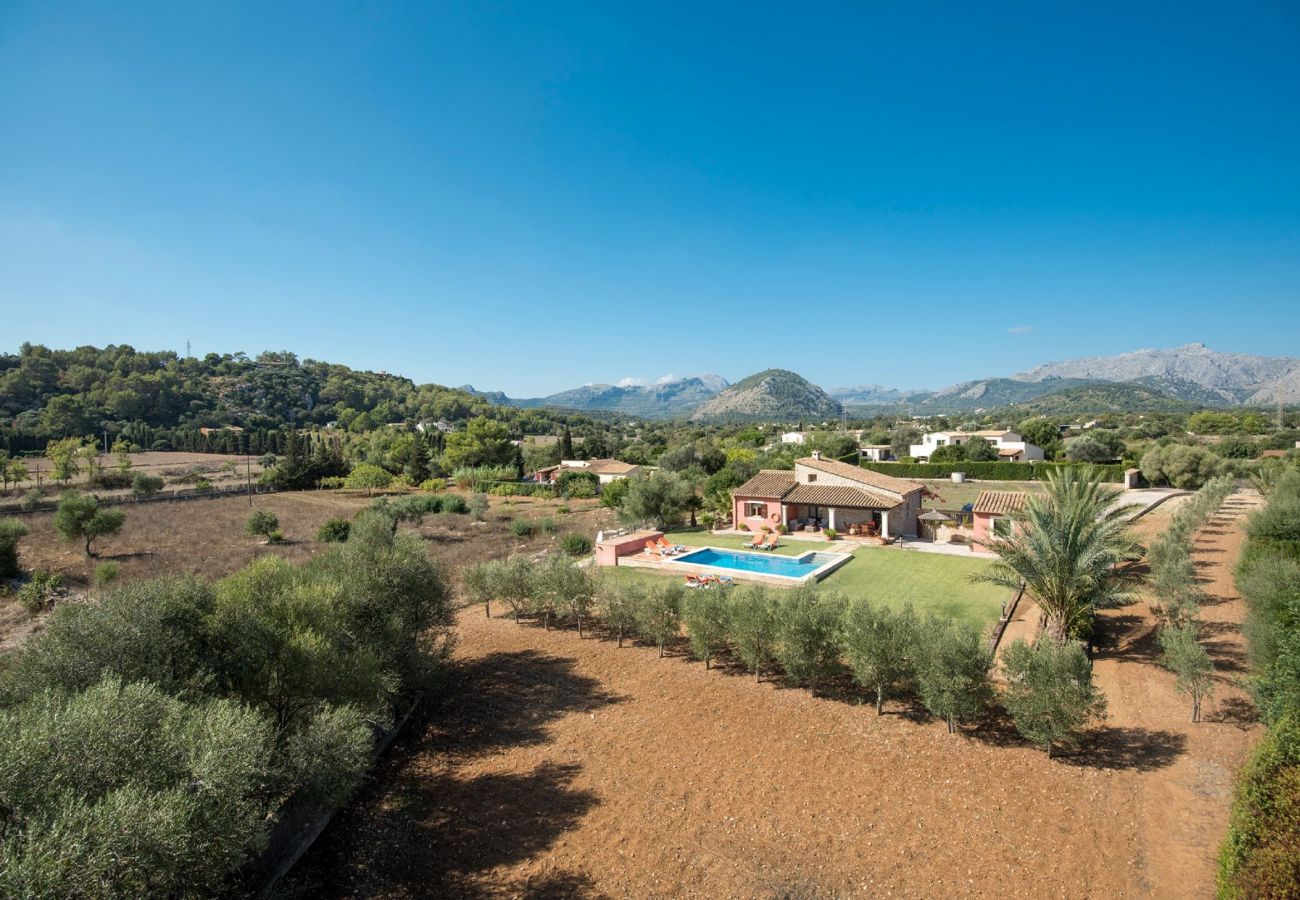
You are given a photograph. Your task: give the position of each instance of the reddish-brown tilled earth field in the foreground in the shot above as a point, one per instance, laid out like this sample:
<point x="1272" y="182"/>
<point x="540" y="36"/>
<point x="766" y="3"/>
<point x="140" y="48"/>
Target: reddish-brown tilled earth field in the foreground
<point x="567" y="768"/>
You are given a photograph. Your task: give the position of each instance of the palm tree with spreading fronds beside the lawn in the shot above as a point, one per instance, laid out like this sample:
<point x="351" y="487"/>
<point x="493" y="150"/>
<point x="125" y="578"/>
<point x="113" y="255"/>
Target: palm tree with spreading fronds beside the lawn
<point x="1068" y="552"/>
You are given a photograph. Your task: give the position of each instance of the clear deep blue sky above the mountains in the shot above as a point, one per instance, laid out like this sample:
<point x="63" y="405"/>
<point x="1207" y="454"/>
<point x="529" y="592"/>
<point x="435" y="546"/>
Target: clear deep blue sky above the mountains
<point x="530" y="197"/>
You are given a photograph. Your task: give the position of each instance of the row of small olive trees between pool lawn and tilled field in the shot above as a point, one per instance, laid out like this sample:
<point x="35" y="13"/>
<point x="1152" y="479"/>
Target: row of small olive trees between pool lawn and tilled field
<point x="812" y="638"/>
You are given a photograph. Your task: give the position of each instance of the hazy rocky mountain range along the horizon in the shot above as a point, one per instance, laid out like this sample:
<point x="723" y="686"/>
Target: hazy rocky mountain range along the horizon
<point x="1150" y="380"/>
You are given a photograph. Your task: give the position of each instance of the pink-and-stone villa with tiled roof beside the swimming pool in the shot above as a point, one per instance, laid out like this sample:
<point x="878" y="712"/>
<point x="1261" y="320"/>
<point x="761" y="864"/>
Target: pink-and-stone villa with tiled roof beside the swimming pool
<point x="825" y="494"/>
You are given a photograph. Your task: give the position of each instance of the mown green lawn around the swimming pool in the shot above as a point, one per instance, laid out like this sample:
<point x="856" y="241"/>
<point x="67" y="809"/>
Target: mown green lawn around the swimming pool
<point x="930" y="582"/>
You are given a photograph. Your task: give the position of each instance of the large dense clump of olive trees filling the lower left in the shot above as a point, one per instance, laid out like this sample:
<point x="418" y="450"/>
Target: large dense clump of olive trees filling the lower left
<point x="150" y="742"/>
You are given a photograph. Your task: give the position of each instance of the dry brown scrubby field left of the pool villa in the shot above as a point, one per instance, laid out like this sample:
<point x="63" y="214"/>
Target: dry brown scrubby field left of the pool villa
<point x="207" y="538"/>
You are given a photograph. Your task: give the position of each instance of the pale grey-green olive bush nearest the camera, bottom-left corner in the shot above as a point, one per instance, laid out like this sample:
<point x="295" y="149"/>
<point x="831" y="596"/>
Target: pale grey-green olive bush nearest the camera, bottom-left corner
<point x="125" y="791"/>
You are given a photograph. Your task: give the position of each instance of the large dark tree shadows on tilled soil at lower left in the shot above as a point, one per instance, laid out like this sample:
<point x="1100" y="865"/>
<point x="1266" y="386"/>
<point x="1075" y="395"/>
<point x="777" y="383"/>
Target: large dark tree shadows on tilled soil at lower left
<point x="423" y="829"/>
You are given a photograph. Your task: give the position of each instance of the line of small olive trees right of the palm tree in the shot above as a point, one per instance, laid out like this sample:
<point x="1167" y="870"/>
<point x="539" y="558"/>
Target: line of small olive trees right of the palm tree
<point x="1177" y="595"/>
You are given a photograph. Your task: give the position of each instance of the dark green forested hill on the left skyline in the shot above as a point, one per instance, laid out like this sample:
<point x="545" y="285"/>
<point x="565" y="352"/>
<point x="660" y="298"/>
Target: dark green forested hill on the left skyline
<point x="54" y="393"/>
